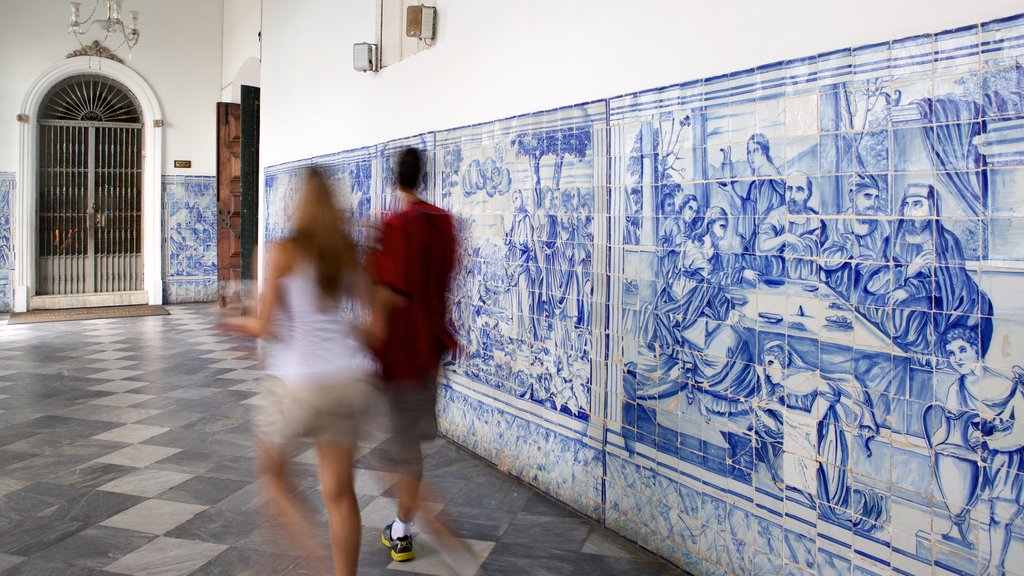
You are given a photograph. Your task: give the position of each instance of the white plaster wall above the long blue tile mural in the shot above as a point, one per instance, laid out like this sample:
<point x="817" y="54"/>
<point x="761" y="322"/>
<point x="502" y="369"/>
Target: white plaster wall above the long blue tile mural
<point x="494" y="60"/>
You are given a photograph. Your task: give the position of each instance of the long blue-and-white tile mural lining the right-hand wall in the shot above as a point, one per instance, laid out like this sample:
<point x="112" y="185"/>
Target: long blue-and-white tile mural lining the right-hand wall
<point x="764" y="322"/>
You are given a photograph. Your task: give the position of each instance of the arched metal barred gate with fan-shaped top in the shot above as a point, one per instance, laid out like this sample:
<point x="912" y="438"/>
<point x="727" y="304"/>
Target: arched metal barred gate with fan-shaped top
<point x="90" y="201"/>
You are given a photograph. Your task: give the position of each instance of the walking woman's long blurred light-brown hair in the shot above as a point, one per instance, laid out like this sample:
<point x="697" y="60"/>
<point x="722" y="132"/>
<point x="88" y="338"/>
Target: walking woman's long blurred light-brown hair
<point x="321" y="236"/>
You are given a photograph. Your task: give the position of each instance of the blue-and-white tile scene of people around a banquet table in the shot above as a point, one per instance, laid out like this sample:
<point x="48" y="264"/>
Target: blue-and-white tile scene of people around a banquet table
<point x="804" y="301"/>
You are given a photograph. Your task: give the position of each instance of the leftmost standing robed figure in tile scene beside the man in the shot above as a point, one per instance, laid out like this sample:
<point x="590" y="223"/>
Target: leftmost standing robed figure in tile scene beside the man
<point x="524" y="272"/>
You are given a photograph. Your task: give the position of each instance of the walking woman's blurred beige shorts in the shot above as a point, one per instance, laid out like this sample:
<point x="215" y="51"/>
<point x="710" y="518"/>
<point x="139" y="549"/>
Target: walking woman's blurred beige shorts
<point x="333" y="413"/>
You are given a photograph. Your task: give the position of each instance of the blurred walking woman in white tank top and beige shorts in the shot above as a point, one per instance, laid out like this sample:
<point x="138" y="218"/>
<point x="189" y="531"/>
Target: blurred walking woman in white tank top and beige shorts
<point x="319" y="380"/>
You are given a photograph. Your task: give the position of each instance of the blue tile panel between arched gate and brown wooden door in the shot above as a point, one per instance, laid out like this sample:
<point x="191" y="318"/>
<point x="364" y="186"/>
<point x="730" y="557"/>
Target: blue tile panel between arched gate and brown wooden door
<point x="190" y="239"/>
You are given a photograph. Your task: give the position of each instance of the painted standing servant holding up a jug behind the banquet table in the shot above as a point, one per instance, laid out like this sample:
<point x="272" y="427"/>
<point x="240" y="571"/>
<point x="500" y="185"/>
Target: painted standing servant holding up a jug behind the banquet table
<point x="749" y="202"/>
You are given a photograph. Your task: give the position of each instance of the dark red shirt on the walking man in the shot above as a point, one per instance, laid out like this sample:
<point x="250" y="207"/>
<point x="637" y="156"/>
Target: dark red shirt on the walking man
<point x="415" y="260"/>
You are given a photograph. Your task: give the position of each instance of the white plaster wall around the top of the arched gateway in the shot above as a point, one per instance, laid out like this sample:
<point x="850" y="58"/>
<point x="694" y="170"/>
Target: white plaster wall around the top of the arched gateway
<point x="180" y="55"/>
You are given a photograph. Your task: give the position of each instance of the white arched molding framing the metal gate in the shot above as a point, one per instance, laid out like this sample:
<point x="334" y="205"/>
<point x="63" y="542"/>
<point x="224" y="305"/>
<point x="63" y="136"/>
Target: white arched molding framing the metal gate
<point x="25" y="195"/>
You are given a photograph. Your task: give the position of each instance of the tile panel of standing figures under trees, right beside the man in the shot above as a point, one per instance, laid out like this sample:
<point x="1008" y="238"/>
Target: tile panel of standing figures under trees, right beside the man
<point x="524" y="190"/>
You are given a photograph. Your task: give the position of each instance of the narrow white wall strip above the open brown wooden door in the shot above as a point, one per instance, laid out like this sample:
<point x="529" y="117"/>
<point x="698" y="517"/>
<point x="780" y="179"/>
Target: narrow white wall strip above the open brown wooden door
<point x="242" y="48"/>
